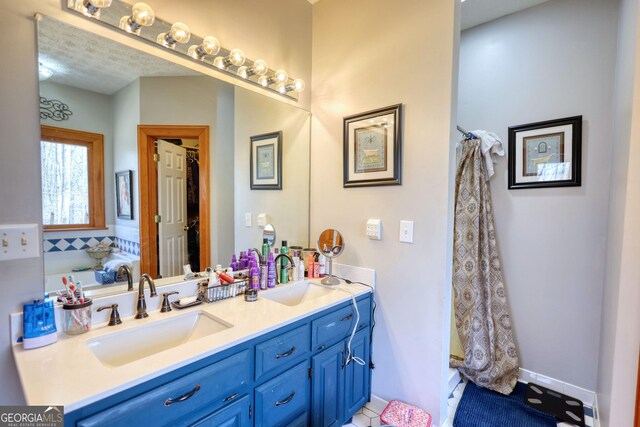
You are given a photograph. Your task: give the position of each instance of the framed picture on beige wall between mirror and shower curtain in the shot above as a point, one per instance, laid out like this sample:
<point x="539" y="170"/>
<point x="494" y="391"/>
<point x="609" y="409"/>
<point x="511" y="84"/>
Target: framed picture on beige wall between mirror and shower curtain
<point x="372" y="148"/>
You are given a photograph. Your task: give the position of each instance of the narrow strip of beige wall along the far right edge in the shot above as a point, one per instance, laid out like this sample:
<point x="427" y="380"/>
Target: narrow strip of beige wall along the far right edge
<point x="620" y="342"/>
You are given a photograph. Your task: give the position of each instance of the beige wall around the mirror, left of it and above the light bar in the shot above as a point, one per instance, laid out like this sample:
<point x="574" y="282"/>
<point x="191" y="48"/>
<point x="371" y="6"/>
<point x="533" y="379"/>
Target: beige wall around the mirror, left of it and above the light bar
<point x="285" y="42"/>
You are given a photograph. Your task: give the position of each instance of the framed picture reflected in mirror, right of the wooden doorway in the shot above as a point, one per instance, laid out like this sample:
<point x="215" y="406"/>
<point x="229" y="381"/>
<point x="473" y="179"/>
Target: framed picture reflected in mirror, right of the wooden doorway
<point x="266" y="161"/>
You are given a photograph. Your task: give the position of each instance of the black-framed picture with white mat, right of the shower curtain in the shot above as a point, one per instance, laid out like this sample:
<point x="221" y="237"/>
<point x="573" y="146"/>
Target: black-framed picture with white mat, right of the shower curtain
<point x="546" y="154"/>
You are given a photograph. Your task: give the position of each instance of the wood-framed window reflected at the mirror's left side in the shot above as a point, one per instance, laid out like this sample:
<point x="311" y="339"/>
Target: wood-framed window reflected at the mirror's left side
<point x="72" y="179"/>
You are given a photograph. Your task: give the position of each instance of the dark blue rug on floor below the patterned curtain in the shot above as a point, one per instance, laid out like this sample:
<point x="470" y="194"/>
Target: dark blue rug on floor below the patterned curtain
<point x="480" y="407"/>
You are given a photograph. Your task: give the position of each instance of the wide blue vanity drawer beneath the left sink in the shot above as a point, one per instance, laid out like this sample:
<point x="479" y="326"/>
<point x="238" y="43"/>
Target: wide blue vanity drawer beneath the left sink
<point x="208" y="388"/>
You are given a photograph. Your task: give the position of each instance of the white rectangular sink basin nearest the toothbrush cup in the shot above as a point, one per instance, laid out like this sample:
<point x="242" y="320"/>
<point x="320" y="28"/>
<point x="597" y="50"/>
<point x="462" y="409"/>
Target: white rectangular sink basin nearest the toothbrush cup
<point x="120" y="348"/>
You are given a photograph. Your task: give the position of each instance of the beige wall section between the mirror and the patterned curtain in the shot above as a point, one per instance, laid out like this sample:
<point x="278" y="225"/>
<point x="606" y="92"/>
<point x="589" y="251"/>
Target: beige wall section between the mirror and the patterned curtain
<point x="357" y="68"/>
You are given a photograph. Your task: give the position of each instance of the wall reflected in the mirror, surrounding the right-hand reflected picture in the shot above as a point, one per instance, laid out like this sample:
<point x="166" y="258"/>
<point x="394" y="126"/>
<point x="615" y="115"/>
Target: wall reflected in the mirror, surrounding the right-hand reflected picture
<point x="287" y="209"/>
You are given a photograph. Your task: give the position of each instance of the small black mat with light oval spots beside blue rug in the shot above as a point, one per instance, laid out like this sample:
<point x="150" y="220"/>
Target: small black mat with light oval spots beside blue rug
<point x="565" y="408"/>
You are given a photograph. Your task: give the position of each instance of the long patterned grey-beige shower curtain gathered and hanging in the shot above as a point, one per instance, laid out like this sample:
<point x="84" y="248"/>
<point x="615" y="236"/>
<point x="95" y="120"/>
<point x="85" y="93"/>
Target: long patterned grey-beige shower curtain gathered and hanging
<point x="481" y="311"/>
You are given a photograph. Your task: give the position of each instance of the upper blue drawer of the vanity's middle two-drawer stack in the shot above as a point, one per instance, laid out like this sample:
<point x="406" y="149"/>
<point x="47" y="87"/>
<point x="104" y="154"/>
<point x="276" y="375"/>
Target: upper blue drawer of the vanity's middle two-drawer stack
<point x="282" y="351"/>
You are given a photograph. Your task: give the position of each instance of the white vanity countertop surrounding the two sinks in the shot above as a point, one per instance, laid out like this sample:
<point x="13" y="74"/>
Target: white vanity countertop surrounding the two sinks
<point x="68" y="373"/>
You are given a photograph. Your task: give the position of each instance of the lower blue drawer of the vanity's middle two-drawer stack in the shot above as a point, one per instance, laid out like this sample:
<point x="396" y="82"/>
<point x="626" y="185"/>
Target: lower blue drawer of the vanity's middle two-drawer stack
<point x="283" y="397"/>
